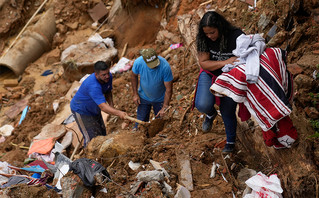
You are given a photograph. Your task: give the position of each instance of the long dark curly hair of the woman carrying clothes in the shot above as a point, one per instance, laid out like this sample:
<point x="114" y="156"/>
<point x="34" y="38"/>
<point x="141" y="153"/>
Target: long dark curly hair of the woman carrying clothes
<point x="215" y="20"/>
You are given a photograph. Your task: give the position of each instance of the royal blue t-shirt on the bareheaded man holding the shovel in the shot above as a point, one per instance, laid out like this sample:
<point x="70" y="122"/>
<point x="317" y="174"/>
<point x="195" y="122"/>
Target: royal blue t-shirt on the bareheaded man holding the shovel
<point x="90" y="95"/>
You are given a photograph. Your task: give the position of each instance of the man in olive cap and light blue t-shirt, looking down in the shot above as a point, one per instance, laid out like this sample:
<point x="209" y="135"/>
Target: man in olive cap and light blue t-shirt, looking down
<point x="156" y="82"/>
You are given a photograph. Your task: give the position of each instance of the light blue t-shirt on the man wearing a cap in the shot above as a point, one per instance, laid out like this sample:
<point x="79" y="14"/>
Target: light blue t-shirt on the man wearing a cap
<point x="152" y="86"/>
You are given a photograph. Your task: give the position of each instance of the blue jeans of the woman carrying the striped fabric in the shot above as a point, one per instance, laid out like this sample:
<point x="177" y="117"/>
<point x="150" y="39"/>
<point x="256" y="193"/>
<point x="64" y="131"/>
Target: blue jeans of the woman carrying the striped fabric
<point x="205" y="101"/>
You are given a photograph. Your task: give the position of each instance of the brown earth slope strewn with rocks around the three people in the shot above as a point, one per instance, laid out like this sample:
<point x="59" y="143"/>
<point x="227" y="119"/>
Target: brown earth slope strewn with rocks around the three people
<point x="140" y="24"/>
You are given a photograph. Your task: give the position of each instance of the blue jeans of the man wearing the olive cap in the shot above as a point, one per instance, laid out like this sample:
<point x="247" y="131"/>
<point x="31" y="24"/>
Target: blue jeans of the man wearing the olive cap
<point x="144" y="110"/>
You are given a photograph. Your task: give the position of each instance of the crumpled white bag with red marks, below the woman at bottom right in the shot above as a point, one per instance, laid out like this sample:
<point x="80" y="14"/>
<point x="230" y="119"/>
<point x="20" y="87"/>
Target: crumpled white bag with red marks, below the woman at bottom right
<point x="264" y="186"/>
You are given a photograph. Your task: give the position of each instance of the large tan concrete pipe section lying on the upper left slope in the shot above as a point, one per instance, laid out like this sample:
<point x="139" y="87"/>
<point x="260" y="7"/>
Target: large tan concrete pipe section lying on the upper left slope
<point x="33" y="43"/>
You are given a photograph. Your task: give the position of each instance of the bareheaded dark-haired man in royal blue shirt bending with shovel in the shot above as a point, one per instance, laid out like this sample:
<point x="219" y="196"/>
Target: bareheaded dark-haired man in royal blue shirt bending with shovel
<point x="91" y="99"/>
